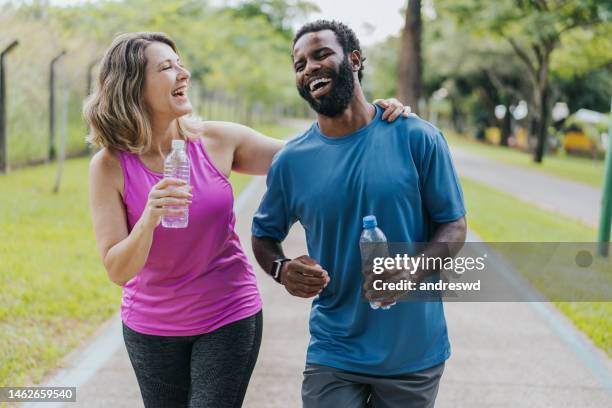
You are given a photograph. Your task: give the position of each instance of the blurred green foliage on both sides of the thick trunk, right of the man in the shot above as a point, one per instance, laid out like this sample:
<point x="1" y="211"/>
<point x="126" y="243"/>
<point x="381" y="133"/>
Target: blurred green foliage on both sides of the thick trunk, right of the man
<point x="467" y="50"/>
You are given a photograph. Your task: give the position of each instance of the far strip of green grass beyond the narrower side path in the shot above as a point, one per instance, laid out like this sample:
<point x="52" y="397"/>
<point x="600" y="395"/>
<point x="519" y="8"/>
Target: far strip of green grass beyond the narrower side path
<point x="582" y="170"/>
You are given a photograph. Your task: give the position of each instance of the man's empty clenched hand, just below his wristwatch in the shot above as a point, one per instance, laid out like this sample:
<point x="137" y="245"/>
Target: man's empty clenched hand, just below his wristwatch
<point x="303" y="277"/>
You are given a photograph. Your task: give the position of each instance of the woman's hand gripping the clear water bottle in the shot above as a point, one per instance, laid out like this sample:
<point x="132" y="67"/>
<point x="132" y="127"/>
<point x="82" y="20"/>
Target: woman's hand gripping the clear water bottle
<point x="163" y="198"/>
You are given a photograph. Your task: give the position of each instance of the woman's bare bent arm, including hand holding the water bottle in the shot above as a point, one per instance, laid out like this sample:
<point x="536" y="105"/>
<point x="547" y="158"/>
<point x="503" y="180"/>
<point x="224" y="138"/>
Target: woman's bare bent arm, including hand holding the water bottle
<point x="124" y="254"/>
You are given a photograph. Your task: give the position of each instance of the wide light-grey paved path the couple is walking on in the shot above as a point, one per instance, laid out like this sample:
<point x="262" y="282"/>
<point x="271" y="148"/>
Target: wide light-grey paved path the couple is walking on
<point x="504" y="354"/>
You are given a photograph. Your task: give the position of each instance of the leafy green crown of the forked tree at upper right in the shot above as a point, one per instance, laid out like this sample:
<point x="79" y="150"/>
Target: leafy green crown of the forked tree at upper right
<point x="574" y="34"/>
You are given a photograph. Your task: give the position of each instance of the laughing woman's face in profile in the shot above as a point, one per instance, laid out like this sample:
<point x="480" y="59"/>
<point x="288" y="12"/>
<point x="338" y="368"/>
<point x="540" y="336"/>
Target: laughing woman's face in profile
<point x="165" y="89"/>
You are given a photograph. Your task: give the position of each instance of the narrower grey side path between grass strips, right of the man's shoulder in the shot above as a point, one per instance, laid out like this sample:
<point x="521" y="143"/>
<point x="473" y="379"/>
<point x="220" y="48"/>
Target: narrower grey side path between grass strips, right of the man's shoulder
<point x="572" y="199"/>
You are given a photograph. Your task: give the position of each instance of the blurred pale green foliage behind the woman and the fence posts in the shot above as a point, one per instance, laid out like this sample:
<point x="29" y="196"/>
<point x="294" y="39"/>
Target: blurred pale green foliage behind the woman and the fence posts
<point x="242" y="56"/>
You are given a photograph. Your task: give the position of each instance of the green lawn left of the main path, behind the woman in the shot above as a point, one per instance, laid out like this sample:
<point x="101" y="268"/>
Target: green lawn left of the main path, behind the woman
<point x="55" y="292"/>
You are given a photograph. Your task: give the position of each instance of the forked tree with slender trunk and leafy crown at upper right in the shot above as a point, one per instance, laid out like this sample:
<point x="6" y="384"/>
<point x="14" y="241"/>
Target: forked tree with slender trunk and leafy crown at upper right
<point x="534" y="30"/>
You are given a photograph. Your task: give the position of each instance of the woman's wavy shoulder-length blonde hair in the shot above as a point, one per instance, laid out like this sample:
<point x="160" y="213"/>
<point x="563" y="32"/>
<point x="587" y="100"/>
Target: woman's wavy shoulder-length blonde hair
<point x="116" y="110"/>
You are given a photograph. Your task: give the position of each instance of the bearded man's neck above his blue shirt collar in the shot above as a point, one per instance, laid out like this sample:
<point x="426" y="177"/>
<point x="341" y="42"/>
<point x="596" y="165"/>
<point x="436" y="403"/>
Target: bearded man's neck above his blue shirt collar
<point x="357" y="115"/>
